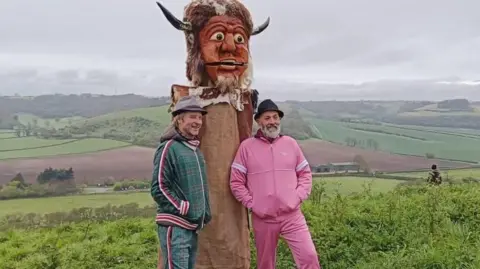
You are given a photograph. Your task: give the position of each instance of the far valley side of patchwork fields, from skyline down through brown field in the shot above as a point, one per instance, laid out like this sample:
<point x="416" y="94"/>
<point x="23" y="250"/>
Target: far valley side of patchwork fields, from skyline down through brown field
<point x="115" y="141"/>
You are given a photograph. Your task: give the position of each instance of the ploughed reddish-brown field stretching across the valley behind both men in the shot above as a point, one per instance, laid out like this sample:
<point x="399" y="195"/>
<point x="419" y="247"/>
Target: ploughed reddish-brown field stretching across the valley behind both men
<point x="137" y="162"/>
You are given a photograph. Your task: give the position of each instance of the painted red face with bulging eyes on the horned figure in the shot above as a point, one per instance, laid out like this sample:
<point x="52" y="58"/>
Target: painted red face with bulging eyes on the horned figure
<point x="224" y="48"/>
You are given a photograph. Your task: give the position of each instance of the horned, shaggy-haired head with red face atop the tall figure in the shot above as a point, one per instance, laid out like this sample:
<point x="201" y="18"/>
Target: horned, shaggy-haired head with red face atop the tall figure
<point x="217" y="34"/>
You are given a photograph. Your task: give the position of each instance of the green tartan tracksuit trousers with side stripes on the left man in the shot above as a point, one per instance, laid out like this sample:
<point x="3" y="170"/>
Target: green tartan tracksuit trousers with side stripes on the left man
<point x="179" y="247"/>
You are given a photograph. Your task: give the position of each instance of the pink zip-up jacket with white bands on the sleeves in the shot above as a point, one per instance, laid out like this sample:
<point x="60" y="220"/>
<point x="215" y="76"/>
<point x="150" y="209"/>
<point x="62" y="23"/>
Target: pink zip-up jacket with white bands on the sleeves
<point x="272" y="178"/>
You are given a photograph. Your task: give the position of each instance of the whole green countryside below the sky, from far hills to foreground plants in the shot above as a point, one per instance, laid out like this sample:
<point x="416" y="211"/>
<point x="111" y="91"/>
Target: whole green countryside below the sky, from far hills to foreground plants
<point x="75" y="173"/>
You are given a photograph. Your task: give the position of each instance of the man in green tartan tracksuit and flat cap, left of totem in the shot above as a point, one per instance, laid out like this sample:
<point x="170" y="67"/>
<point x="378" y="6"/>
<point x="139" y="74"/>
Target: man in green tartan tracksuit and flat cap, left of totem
<point x="179" y="187"/>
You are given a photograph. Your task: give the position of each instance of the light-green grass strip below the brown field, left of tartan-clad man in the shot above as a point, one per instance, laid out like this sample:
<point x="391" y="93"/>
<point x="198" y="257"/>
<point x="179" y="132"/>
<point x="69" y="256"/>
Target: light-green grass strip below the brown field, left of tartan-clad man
<point x="67" y="203"/>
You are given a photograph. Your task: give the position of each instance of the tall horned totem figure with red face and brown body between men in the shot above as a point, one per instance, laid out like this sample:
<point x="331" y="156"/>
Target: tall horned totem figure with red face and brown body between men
<point x="219" y="69"/>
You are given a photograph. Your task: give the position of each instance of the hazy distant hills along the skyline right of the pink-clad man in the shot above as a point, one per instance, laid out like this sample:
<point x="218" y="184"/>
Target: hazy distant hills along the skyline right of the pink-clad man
<point x="455" y="113"/>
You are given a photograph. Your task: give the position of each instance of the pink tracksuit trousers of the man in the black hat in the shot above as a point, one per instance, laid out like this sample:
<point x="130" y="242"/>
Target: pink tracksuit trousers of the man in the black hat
<point x="294" y="230"/>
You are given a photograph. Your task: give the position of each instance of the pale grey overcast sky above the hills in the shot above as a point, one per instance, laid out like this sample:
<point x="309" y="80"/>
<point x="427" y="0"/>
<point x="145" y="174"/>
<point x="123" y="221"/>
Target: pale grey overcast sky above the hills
<point x="129" y="45"/>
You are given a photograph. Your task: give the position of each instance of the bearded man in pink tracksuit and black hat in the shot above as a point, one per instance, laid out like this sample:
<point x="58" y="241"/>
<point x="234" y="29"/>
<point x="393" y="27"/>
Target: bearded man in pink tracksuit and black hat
<point x="271" y="177"/>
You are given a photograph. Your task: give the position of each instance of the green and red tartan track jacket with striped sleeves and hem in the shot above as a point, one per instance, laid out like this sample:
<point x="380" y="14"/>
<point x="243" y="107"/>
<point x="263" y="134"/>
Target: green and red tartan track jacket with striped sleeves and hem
<point x="179" y="184"/>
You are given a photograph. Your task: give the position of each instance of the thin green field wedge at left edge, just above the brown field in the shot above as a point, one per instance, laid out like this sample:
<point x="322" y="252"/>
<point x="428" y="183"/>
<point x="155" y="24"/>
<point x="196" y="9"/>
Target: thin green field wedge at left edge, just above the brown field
<point x="22" y="143"/>
